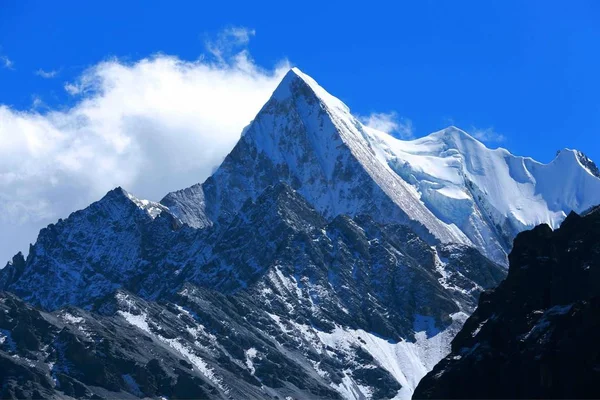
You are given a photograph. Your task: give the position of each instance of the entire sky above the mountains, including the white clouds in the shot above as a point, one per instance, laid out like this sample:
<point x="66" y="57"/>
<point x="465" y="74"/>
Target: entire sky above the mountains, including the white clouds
<point x="150" y="95"/>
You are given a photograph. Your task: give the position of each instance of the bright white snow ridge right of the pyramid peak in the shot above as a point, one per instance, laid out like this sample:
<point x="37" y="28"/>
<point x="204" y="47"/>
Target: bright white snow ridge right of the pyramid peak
<point x="490" y="195"/>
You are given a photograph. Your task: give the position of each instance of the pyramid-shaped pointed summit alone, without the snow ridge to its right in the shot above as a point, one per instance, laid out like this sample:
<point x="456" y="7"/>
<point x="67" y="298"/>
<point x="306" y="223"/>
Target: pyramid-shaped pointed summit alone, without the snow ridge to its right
<point x="307" y="138"/>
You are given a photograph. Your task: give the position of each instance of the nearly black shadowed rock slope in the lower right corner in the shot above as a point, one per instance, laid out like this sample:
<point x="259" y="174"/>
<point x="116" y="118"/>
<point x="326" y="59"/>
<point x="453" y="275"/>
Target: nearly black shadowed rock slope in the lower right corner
<point x="535" y="336"/>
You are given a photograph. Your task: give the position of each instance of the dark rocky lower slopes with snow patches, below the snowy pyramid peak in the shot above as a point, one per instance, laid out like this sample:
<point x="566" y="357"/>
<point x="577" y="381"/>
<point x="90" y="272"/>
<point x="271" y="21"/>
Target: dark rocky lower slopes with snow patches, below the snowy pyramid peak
<point x="279" y="302"/>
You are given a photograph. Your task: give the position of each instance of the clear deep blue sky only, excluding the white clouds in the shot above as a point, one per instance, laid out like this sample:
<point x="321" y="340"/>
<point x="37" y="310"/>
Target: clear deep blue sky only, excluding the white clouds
<point x="529" y="70"/>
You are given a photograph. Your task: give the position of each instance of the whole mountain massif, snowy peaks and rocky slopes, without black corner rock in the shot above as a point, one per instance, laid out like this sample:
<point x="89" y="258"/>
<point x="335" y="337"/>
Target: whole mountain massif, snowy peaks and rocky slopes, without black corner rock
<point x="322" y="259"/>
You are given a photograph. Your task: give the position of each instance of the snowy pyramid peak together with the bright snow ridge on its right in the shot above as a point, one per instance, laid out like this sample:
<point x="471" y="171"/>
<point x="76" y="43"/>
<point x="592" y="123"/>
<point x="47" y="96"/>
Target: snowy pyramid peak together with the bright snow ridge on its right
<point x="446" y="186"/>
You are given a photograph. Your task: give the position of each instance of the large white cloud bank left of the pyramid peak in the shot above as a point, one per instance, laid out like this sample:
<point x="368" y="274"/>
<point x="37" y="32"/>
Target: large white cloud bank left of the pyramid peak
<point x="152" y="126"/>
